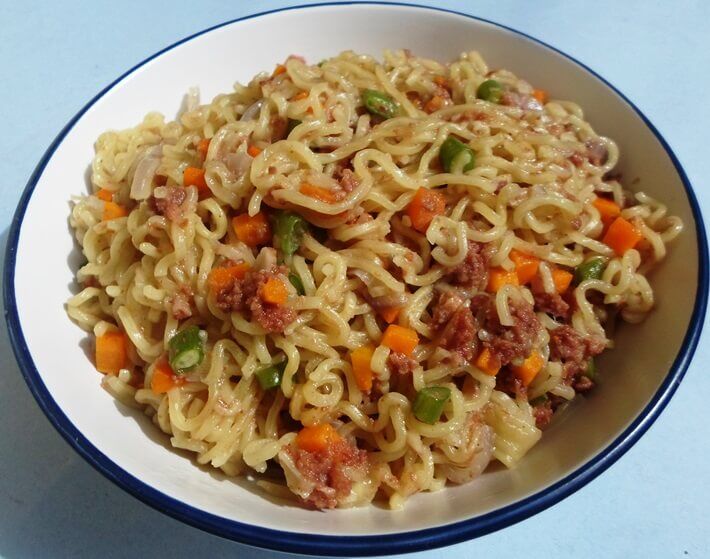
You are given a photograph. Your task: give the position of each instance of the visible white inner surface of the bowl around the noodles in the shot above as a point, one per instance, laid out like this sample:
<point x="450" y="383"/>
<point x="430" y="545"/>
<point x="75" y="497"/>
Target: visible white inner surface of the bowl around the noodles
<point x="631" y="374"/>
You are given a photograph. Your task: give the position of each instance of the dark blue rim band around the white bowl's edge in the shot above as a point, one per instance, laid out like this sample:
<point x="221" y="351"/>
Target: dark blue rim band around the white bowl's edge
<point x="314" y="544"/>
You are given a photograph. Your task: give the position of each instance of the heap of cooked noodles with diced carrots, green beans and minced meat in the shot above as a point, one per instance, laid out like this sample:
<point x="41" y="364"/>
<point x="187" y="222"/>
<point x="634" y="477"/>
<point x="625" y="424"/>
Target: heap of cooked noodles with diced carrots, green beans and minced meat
<point x="360" y="279"/>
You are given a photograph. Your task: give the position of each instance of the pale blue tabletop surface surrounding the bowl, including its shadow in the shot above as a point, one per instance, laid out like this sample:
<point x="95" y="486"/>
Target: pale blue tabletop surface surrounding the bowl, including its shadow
<point x="652" y="503"/>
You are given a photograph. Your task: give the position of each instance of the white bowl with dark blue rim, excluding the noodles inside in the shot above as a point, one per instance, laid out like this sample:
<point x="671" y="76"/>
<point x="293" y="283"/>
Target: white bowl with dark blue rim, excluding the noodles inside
<point x="639" y="376"/>
